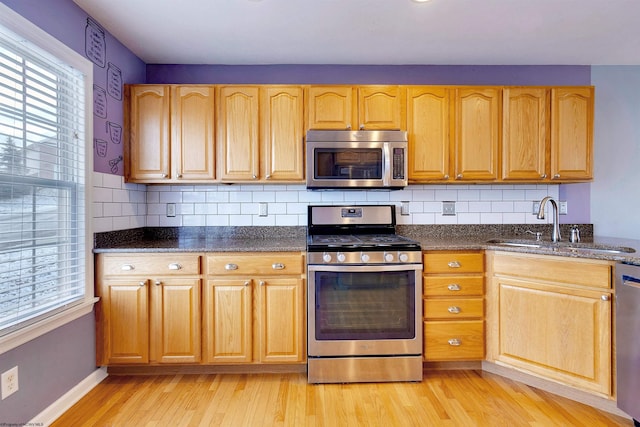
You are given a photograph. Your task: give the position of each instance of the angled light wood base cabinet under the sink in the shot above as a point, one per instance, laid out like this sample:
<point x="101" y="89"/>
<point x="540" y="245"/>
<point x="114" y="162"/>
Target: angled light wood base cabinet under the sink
<point x="552" y="317"/>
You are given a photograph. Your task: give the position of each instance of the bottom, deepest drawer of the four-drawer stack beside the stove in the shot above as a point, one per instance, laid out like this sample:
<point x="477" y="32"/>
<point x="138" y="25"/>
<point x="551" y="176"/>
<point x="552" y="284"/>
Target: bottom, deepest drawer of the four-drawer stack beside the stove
<point x="462" y="340"/>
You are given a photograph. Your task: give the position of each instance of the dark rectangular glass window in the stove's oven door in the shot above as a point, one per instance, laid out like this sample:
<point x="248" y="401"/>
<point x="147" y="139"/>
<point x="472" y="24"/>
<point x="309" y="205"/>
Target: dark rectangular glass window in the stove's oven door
<point x="365" y="305"/>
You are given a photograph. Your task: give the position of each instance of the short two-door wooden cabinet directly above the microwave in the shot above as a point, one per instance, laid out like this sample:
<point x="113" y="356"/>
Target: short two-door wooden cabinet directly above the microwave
<point x="347" y="107"/>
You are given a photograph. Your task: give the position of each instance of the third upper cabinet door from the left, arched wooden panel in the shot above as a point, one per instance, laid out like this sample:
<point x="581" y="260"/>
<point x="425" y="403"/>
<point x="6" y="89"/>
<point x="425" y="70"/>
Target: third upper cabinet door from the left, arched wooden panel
<point x="238" y="133"/>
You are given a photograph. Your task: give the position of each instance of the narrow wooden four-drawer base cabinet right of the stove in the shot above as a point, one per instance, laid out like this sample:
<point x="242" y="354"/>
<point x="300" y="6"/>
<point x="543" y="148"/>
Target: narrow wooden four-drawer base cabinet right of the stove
<point x="453" y="301"/>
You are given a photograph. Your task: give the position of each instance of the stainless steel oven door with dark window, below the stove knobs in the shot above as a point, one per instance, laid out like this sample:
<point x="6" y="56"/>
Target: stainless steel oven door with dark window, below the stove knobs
<point x="364" y="310"/>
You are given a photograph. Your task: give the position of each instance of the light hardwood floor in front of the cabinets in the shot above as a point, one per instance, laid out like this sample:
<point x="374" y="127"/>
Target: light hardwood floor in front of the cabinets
<point x="443" y="398"/>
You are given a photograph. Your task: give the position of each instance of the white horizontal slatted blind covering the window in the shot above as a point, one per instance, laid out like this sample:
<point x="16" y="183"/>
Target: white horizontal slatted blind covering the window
<point x="42" y="184"/>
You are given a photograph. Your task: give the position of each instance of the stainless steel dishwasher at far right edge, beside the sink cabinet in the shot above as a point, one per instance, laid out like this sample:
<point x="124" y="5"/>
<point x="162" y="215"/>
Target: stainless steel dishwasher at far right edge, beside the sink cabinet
<point x="628" y="339"/>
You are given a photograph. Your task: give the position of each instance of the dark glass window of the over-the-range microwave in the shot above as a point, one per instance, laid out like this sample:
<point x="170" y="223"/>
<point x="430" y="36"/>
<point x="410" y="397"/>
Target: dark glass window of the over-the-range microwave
<point x="348" y="163"/>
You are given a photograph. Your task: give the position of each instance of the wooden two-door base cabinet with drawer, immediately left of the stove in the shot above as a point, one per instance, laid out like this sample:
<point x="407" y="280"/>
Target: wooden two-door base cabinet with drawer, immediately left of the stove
<point x="254" y="308"/>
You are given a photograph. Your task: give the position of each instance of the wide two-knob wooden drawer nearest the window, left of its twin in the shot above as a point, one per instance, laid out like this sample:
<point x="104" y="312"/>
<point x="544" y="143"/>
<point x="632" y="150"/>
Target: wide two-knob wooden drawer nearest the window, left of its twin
<point x="151" y="264"/>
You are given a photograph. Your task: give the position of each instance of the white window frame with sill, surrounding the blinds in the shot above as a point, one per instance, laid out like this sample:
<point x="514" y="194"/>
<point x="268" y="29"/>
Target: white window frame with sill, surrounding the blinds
<point x="21" y="26"/>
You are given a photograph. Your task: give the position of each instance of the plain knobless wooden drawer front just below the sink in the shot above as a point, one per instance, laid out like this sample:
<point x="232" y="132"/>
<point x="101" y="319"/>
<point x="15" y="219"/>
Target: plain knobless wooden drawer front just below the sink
<point x="572" y="271"/>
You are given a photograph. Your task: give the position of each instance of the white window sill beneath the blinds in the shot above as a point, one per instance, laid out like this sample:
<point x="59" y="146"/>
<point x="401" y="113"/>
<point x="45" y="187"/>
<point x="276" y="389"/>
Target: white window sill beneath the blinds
<point x="17" y="338"/>
